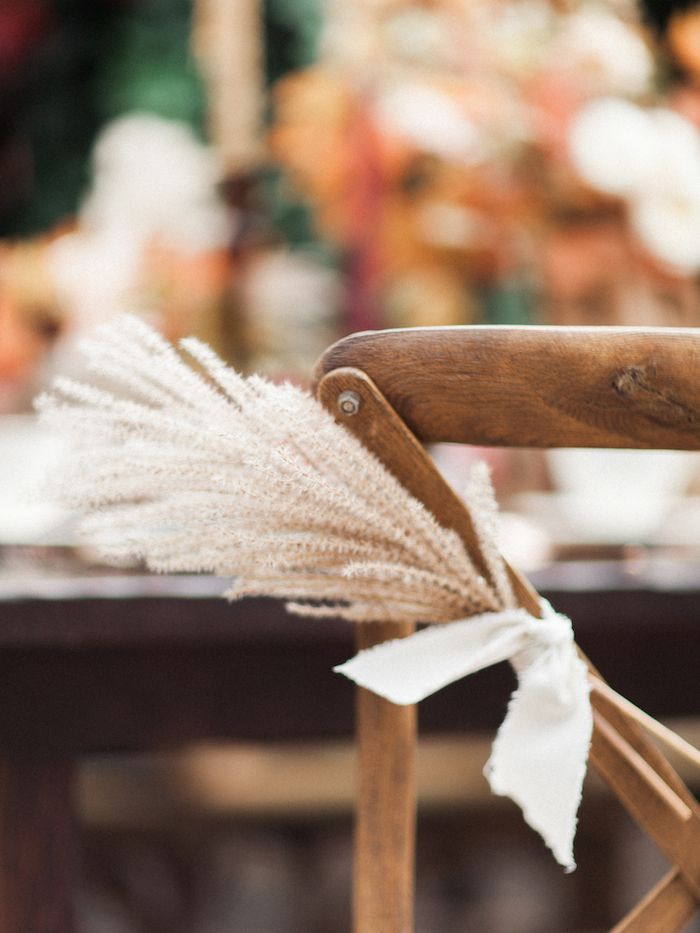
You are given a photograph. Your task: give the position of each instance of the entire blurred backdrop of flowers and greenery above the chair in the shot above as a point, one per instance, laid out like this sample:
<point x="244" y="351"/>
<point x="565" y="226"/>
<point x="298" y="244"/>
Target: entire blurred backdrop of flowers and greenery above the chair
<point x="272" y="175"/>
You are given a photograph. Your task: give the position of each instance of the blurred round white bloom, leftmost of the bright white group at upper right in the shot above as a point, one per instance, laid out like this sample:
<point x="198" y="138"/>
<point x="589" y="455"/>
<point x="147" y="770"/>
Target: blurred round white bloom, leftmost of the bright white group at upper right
<point x="614" y="146"/>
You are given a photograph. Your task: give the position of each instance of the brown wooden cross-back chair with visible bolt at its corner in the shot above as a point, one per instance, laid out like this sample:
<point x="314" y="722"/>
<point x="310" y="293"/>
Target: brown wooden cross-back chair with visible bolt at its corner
<point x="520" y="387"/>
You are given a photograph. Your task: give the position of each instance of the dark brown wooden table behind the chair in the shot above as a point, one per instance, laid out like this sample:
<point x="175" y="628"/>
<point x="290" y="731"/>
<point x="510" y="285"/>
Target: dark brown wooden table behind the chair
<point x="92" y="664"/>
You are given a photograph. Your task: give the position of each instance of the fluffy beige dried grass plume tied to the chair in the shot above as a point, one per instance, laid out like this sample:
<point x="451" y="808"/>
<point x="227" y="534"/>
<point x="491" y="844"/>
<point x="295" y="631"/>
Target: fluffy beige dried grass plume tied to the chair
<point x="205" y="470"/>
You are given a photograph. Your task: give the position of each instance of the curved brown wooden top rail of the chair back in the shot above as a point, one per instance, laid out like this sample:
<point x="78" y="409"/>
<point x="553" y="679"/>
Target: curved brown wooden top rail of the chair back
<point x="535" y="386"/>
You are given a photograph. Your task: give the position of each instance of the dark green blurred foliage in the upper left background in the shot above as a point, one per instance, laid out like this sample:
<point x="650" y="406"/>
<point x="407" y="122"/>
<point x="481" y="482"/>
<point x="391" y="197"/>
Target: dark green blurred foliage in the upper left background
<point x="109" y="58"/>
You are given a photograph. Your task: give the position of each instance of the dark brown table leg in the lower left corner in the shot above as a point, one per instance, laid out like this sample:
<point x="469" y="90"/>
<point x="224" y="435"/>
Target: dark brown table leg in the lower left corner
<point x="38" y="851"/>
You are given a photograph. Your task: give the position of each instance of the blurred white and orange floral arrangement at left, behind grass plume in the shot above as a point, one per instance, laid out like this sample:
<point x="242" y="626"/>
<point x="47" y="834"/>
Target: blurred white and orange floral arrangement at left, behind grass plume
<point x="152" y="234"/>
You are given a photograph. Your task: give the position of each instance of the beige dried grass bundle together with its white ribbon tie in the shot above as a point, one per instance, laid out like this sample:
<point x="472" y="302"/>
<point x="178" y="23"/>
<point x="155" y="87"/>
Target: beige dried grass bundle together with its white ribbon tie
<point x="194" y="467"/>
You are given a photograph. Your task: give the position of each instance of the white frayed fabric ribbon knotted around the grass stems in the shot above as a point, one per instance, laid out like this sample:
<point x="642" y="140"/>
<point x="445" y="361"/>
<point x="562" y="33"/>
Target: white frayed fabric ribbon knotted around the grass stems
<point x="540" y="753"/>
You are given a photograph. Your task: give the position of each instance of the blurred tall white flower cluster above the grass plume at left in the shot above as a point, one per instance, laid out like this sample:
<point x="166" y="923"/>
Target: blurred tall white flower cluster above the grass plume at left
<point x="154" y="181"/>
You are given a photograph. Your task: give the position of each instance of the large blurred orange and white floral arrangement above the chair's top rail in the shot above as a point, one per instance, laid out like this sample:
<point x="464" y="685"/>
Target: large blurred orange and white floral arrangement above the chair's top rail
<point x="444" y="145"/>
